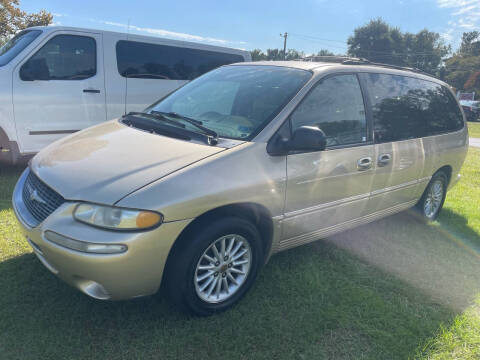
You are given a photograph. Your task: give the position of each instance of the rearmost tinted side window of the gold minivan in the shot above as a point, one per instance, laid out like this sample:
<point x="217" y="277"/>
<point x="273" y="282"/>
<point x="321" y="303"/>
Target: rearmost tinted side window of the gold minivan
<point x="444" y="113"/>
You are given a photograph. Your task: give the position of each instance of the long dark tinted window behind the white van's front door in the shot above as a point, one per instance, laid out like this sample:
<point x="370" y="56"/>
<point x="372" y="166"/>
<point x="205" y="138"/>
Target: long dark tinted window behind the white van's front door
<point x="152" y="61"/>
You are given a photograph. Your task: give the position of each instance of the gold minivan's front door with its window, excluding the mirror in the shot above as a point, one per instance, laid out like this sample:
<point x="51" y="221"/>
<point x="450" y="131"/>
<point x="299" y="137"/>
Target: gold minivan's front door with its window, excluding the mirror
<point x="328" y="190"/>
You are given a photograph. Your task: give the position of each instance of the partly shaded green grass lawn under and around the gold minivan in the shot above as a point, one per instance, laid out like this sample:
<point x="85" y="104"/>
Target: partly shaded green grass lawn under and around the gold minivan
<point x="394" y="289"/>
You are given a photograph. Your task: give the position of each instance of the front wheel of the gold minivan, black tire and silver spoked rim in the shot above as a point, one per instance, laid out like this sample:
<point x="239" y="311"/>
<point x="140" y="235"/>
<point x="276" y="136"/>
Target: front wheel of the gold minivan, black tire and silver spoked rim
<point x="190" y="262"/>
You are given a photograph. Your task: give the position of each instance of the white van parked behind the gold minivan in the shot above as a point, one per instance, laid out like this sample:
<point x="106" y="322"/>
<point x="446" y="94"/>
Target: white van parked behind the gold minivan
<point x="55" y="81"/>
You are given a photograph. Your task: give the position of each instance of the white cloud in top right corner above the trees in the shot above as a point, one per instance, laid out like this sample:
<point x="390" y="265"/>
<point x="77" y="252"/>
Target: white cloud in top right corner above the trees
<point x="466" y="17"/>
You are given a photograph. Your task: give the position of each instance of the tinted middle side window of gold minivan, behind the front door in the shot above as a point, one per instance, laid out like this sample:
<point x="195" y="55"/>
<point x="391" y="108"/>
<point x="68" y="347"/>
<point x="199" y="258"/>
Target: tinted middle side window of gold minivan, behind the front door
<point x="399" y="106"/>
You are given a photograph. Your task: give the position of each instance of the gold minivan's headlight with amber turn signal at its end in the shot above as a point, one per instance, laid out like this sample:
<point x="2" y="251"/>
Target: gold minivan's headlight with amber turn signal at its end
<point x="116" y="218"/>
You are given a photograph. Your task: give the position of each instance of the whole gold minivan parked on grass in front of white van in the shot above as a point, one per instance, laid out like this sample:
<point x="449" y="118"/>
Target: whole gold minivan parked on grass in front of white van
<point x="200" y="189"/>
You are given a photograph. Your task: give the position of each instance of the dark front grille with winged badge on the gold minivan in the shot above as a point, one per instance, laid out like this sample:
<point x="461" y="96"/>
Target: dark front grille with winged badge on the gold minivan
<point x="39" y="199"/>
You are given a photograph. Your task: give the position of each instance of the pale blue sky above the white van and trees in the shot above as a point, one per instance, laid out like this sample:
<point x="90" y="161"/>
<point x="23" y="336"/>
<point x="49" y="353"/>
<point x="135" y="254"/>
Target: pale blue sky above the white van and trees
<point x="248" y="24"/>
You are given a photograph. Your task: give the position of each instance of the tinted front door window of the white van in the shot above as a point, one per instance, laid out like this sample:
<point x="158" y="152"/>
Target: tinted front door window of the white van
<point x="64" y="57"/>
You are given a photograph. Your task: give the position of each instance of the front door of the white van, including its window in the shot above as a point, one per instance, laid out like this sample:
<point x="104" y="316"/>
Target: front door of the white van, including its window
<point x="59" y="89"/>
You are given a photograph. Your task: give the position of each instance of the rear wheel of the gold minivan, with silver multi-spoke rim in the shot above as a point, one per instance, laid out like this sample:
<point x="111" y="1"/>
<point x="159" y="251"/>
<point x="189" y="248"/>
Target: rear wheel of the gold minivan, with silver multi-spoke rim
<point x="431" y="202"/>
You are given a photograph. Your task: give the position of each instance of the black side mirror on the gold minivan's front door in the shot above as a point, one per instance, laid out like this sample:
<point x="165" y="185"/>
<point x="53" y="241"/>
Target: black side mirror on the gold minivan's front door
<point x="305" y="138"/>
